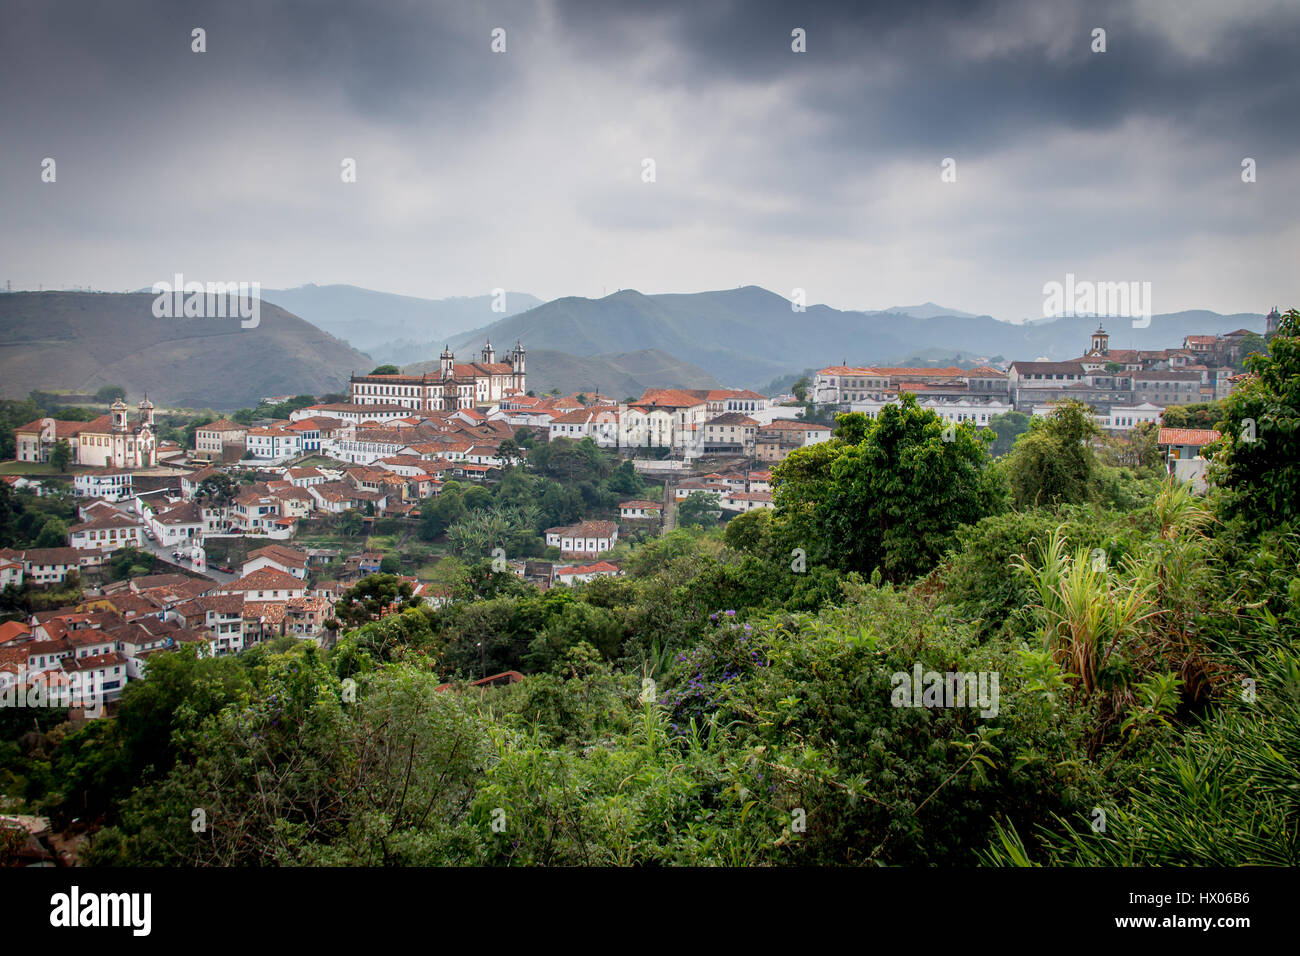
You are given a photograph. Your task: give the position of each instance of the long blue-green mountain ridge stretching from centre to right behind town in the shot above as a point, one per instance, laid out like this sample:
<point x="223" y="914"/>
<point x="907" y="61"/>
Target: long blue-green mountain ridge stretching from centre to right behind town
<point x="751" y="336"/>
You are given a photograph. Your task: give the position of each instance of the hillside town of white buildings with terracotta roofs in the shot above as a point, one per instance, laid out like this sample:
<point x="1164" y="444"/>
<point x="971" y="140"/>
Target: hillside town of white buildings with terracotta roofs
<point x="236" y="531"/>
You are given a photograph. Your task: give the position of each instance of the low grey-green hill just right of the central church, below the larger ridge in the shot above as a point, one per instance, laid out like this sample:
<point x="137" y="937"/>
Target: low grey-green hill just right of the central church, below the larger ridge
<point x="617" y="375"/>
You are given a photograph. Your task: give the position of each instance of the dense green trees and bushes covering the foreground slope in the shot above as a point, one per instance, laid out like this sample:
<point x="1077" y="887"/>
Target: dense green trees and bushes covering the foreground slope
<point x="735" y="699"/>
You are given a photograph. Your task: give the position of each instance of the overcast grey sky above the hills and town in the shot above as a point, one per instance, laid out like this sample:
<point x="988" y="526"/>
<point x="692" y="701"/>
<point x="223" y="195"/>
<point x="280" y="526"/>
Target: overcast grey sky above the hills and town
<point x="526" y="170"/>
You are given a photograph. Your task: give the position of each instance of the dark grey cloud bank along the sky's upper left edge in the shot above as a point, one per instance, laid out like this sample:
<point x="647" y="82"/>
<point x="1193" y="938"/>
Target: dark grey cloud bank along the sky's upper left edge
<point x="400" y="60"/>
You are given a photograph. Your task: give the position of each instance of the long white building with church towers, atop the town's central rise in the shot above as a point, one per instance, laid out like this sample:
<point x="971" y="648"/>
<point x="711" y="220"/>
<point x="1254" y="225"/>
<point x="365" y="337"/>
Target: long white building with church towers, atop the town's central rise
<point x="454" y="386"/>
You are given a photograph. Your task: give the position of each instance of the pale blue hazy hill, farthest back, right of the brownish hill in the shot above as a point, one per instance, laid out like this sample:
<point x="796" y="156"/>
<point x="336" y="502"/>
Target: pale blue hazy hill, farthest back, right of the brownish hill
<point x="389" y="327"/>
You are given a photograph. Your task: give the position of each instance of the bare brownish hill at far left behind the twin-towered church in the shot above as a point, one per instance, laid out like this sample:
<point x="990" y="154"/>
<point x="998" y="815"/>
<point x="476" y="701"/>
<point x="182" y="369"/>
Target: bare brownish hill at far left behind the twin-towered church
<point x="86" y="340"/>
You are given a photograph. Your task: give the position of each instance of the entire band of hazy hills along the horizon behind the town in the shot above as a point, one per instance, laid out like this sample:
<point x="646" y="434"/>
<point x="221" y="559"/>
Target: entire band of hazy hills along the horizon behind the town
<point x="621" y="344"/>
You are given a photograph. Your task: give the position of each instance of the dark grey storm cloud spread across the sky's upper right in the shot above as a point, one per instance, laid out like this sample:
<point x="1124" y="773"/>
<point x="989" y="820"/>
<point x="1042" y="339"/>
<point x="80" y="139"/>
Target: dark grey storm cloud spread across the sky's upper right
<point x="977" y="73"/>
